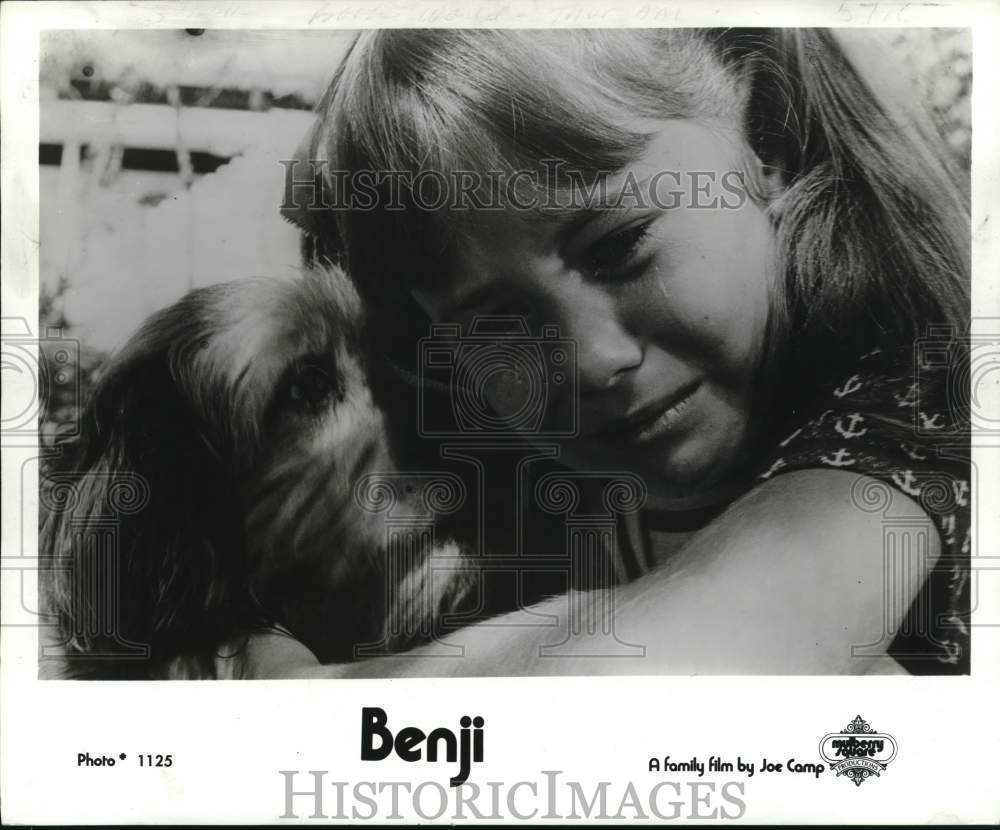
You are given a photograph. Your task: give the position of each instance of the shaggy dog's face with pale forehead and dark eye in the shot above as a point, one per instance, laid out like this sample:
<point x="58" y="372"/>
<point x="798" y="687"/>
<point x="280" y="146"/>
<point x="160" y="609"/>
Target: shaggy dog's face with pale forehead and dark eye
<point x="279" y="378"/>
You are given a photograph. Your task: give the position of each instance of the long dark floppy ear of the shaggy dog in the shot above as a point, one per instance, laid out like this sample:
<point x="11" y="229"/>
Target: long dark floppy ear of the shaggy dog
<point x="141" y="523"/>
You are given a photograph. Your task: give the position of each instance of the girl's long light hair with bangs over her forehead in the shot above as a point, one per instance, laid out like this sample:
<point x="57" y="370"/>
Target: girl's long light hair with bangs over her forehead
<point x="872" y="228"/>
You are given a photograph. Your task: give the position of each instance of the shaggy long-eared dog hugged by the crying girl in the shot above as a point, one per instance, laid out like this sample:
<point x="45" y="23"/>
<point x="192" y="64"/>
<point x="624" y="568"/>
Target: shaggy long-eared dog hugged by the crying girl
<point x="244" y="417"/>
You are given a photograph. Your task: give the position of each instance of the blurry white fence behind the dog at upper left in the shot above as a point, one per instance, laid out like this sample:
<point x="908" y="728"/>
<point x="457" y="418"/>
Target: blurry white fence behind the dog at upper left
<point x="129" y="241"/>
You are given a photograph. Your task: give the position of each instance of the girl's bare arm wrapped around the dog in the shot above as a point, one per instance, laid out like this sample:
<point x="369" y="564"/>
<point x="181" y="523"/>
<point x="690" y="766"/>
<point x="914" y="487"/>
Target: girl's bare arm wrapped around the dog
<point x="793" y="579"/>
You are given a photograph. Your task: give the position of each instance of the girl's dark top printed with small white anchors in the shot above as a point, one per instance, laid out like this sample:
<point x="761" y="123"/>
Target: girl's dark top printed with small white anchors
<point x="860" y="425"/>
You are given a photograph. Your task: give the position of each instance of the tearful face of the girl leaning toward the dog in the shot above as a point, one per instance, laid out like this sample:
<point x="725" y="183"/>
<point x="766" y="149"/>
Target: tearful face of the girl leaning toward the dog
<point x="665" y="297"/>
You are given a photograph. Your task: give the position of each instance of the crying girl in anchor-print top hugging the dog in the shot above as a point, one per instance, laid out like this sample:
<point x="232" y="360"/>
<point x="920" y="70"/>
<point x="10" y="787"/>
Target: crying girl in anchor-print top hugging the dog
<point x="762" y="258"/>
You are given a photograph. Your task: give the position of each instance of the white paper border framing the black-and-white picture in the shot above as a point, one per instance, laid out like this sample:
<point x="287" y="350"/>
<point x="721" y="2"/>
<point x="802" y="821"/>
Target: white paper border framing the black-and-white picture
<point x="229" y="741"/>
